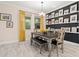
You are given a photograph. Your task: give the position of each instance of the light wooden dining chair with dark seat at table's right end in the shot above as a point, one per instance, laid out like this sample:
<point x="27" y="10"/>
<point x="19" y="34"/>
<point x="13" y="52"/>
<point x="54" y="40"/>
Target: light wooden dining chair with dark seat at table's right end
<point x="59" y="40"/>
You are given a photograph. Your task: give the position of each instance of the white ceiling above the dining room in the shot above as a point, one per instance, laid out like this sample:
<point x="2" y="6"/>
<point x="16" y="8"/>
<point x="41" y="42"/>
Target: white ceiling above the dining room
<point x="36" y="5"/>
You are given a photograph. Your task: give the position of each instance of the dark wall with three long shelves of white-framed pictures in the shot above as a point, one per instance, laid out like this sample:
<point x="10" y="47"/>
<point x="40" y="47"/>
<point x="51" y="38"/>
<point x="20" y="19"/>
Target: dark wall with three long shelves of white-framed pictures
<point x="67" y="18"/>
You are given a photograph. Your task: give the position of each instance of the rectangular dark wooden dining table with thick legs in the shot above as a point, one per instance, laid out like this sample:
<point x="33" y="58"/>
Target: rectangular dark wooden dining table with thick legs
<point x="47" y="38"/>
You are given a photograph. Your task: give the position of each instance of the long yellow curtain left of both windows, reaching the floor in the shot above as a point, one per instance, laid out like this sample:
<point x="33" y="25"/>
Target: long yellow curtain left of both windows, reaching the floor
<point x="21" y="25"/>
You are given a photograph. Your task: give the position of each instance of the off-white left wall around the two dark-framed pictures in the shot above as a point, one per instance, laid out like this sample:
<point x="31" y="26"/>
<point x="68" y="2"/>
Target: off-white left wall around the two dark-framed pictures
<point x="9" y="35"/>
